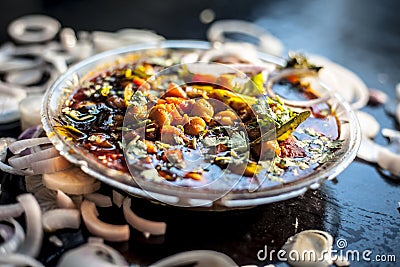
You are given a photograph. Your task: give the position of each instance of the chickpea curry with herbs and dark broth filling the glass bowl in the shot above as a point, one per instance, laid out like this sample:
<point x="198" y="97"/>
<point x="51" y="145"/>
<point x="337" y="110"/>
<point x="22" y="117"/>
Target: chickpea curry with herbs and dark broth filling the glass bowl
<point x="175" y="124"/>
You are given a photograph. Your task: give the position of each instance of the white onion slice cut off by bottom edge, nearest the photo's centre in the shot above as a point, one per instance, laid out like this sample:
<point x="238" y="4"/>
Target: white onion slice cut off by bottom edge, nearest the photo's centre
<point x="200" y="258"/>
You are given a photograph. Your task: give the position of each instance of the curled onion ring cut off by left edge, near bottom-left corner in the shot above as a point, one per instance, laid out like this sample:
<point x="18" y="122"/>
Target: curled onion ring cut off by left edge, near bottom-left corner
<point x="11" y="243"/>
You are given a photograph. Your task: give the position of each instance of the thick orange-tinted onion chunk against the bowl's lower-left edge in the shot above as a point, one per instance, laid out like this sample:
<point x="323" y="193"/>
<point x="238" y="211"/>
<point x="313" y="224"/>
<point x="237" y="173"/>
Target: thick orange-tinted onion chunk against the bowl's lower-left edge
<point x="71" y="181"/>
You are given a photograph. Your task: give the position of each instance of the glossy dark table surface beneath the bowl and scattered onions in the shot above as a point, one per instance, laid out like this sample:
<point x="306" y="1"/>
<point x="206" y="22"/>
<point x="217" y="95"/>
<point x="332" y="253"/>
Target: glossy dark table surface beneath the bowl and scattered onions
<point x="361" y="206"/>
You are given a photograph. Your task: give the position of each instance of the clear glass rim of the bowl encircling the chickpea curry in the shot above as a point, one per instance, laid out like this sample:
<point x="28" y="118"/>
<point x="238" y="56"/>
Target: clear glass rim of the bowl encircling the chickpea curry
<point x="185" y="196"/>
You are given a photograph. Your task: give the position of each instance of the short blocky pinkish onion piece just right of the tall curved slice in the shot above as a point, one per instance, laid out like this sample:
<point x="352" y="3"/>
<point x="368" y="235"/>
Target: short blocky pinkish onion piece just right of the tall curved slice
<point x="61" y="218"/>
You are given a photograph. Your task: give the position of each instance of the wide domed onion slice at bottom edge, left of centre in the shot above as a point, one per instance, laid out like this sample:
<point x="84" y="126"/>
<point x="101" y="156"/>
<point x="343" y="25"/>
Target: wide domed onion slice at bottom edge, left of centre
<point x="92" y="254"/>
